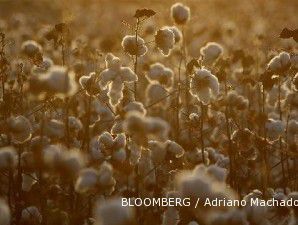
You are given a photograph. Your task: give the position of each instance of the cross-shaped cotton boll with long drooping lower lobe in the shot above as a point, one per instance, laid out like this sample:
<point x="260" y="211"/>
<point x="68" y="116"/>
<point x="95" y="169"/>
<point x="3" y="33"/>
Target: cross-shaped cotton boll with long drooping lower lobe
<point x="114" y="76"/>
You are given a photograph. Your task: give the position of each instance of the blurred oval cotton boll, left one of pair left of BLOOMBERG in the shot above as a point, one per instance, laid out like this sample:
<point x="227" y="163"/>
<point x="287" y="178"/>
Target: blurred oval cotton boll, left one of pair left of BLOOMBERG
<point x="87" y="180"/>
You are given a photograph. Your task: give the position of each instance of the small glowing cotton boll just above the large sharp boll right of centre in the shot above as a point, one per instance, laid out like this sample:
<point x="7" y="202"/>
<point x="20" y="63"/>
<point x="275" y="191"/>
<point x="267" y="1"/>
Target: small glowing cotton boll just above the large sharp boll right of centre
<point x="211" y="52"/>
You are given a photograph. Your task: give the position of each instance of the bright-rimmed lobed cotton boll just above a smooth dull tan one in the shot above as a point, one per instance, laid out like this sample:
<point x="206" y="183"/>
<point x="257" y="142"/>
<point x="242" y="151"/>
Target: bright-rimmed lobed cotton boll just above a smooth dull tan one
<point x="158" y="72"/>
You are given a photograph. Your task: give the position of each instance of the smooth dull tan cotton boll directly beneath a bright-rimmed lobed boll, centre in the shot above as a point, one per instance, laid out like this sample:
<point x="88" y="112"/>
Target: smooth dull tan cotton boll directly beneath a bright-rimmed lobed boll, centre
<point x="157" y="95"/>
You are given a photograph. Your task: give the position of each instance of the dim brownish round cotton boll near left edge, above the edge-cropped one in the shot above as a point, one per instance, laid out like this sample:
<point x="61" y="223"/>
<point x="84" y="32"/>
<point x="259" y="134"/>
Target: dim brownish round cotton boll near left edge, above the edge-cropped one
<point x="20" y="129"/>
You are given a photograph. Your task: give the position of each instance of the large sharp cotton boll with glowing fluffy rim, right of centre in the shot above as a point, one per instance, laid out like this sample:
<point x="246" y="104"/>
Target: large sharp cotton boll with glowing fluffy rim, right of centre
<point x="204" y="85"/>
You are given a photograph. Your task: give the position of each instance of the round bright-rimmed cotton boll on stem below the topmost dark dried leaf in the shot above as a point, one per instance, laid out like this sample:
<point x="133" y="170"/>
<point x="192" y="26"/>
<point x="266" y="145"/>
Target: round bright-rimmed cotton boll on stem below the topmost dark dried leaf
<point x="133" y="47"/>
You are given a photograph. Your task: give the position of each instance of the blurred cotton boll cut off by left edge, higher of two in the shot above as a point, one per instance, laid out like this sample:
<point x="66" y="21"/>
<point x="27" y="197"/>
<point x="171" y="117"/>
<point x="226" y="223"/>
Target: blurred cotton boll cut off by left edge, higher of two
<point x="8" y="157"/>
